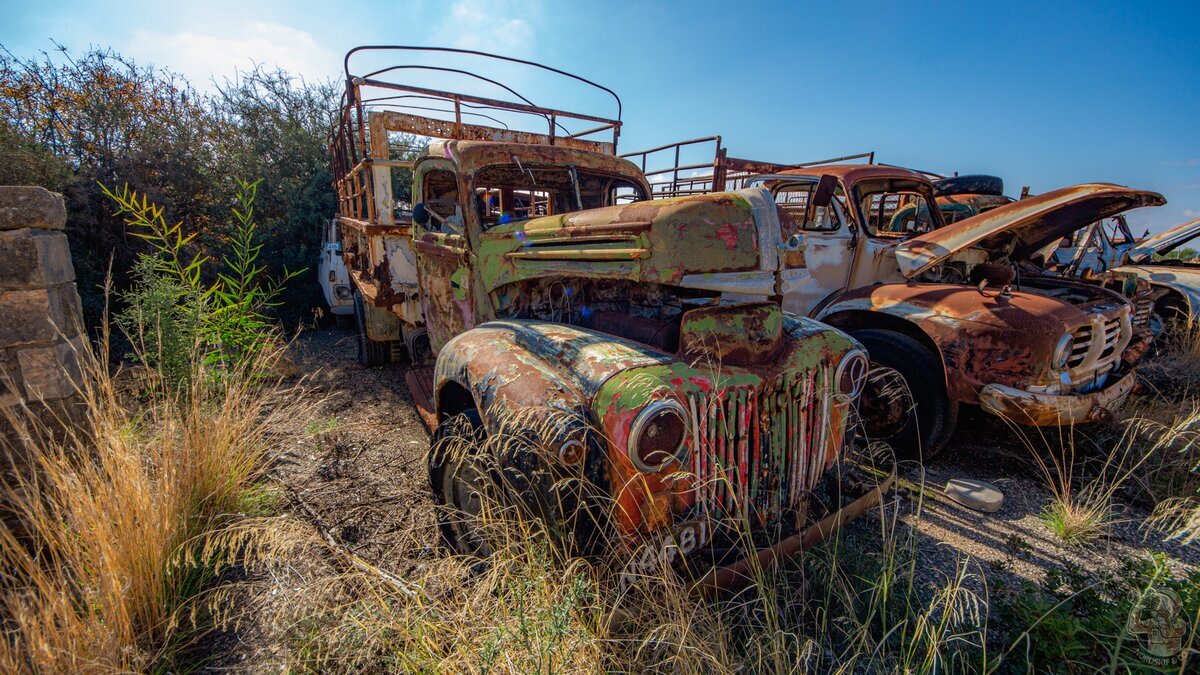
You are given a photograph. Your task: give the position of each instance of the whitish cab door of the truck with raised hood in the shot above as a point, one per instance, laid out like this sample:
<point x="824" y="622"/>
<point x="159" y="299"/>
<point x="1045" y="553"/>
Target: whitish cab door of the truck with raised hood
<point x="818" y="246"/>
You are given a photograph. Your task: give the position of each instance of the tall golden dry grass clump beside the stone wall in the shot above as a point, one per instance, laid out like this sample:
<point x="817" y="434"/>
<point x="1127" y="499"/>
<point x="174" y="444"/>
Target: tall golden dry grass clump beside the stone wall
<point x="110" y="533"/>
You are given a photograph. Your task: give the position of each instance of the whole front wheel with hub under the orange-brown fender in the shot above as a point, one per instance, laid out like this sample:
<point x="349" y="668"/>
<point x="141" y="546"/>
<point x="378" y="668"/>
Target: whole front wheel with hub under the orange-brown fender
<point x="904" y="402"/>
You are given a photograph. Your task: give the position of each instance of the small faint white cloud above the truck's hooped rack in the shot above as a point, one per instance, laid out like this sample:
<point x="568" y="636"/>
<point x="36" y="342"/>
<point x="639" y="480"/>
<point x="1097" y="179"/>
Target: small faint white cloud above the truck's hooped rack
<point x="500" y="28"/>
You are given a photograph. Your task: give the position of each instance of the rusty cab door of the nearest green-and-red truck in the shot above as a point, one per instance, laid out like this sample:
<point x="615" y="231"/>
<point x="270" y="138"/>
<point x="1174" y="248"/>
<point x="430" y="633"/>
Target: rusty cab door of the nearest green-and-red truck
<point x="443" y="252"/>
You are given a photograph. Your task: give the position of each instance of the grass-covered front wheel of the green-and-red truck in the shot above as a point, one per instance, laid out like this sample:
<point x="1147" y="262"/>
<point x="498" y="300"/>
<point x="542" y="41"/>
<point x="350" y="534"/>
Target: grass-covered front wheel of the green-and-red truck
<point x="461" y="482"/>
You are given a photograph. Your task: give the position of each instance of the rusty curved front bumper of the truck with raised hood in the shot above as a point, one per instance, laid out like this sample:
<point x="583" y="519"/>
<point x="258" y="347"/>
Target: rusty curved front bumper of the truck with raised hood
<point x="1055" y="410"/>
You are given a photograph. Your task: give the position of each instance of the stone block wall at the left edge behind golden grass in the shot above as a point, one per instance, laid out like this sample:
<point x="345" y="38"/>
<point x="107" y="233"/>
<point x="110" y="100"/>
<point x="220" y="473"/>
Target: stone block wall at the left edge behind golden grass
<point x="41" y="322"/>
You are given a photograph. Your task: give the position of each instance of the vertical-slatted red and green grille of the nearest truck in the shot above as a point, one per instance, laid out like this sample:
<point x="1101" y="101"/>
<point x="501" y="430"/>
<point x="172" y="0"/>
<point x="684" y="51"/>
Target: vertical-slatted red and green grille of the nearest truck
<point x="759" y="451"/>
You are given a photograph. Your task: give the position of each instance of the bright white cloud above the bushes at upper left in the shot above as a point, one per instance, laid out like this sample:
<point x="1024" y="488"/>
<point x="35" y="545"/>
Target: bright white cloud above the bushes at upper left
<point x="206" y="58"/>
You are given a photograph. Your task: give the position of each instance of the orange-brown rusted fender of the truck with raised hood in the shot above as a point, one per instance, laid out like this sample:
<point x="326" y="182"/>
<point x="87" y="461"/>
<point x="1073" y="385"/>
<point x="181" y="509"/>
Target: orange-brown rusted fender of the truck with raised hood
<point x="983" y="338"/>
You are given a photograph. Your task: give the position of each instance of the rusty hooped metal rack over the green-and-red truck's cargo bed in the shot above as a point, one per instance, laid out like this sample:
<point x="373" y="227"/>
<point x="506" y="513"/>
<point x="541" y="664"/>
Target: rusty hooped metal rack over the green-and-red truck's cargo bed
<point x="374" y="105"/>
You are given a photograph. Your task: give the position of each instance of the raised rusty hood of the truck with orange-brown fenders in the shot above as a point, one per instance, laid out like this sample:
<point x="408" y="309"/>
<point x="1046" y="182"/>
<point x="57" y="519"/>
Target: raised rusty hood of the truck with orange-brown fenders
<point x="1027" y="226"/>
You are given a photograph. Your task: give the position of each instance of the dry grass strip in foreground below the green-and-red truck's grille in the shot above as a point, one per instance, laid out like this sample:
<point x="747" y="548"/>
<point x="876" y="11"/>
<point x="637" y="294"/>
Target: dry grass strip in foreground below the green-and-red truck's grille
<point x="854" y="605"/>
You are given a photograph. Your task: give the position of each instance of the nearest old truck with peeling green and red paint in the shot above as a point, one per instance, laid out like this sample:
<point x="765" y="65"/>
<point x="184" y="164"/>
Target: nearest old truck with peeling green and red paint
<point x="553" y="294"/>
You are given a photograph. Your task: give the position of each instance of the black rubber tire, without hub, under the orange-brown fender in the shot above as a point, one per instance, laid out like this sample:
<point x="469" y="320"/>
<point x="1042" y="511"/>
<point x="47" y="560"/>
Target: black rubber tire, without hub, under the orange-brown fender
<point x="937" y="415"/>
